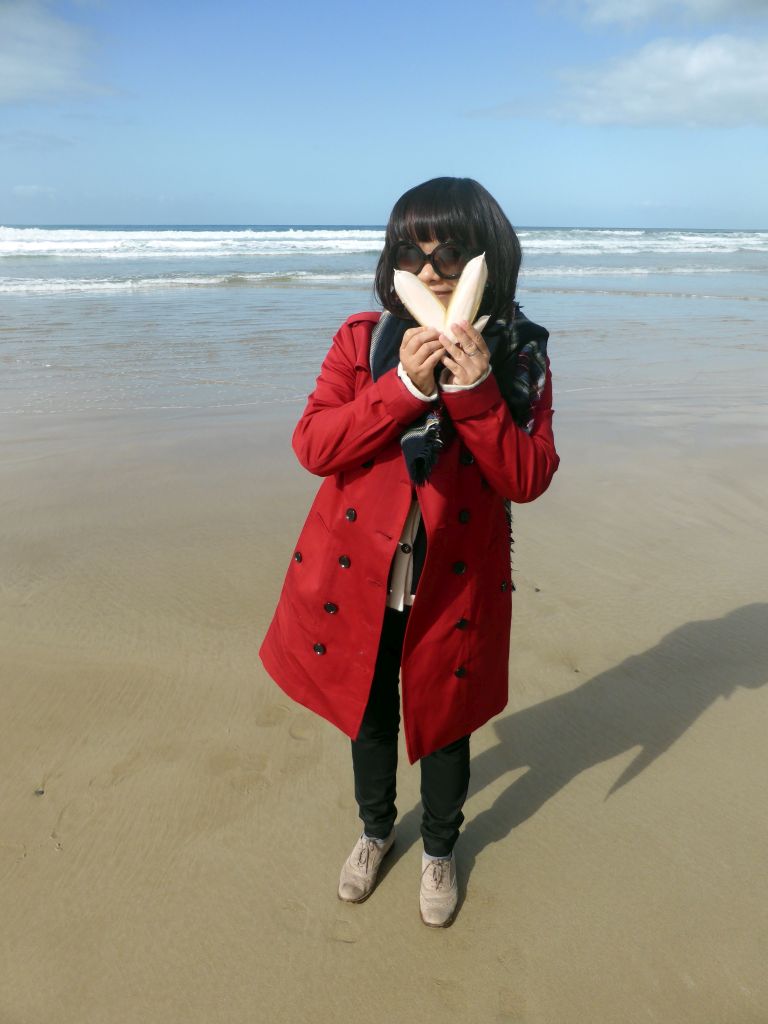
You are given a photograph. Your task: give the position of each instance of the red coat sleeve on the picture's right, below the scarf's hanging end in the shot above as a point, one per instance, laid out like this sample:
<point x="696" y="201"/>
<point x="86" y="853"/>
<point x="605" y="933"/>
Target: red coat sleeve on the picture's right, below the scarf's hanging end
<point x="518" y="465"/>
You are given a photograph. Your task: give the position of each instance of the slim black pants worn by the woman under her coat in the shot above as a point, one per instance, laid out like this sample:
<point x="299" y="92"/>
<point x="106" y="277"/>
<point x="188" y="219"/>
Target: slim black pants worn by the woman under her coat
<point x="445" y="775"/>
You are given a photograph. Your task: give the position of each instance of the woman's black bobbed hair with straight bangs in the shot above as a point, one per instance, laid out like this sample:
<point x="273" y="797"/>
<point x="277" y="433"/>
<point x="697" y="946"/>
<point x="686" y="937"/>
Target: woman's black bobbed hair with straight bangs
<point x="454" y="210"/>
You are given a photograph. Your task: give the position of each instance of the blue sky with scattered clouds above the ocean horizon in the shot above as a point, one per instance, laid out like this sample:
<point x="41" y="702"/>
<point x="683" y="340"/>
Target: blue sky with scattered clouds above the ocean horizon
<point x="606" y="113"/>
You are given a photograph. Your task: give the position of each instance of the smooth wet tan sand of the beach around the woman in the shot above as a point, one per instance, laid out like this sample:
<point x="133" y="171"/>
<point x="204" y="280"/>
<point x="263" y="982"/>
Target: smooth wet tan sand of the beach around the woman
<point x="174" y="828"/>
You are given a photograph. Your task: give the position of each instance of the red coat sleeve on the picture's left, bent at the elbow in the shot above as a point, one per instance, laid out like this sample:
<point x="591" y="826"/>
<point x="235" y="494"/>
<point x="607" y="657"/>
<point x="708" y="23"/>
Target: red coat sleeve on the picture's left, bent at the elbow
<point x="339" y="431"/>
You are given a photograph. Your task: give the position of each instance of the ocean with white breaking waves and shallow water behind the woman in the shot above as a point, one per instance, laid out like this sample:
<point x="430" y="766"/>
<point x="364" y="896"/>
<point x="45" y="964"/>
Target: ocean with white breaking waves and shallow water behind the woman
<point x="190" y="319"/>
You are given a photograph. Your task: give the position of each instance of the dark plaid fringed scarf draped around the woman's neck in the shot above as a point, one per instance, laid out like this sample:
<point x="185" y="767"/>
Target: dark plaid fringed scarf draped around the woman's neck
<point x="519" y="361"/>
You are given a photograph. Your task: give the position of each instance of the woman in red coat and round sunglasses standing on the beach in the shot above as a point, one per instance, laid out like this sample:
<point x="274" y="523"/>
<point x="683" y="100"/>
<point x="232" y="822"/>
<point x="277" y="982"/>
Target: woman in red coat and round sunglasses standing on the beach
<point x="403" y="567"/>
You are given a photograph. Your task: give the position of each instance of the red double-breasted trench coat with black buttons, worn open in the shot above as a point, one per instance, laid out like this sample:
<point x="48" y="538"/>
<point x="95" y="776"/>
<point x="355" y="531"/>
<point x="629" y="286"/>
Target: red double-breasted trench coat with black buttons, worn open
<point x="322" y="645"/>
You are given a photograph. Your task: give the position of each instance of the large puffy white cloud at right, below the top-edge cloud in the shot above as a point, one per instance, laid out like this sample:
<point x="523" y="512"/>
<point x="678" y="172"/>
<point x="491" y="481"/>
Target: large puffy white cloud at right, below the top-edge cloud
<point x="718" y="81"/>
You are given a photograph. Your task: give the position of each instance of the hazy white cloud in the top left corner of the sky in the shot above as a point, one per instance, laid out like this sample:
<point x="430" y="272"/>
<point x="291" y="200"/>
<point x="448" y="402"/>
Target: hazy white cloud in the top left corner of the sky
<point x="41" y="56"/>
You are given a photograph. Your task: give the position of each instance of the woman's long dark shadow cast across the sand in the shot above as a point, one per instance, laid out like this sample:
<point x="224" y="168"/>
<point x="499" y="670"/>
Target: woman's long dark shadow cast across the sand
<point x="649" y="702"/>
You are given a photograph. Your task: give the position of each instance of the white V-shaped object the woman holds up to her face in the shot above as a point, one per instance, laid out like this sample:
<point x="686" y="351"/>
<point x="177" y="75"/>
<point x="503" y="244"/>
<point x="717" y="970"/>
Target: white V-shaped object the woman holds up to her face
<point x="428" y="310"/>
